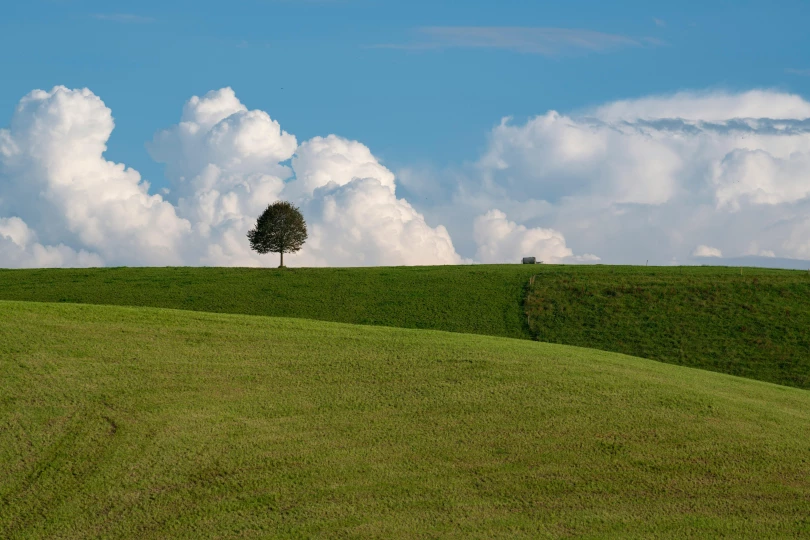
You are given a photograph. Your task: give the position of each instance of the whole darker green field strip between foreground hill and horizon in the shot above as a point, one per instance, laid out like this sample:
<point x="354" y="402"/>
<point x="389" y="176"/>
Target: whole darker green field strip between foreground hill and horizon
<point x="754" y="325"/>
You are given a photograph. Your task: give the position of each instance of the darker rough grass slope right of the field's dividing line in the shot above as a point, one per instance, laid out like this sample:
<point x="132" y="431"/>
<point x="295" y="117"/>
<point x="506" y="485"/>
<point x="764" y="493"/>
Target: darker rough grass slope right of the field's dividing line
<point x="754" y="325"/>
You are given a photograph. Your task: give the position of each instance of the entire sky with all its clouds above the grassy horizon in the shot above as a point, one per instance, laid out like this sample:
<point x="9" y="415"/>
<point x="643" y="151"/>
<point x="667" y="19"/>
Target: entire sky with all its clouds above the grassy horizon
<point x="674" y="132"/>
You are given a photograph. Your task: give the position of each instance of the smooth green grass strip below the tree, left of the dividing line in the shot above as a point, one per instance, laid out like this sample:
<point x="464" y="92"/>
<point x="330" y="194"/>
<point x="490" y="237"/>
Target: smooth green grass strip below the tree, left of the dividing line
<point x="472" y="299"/>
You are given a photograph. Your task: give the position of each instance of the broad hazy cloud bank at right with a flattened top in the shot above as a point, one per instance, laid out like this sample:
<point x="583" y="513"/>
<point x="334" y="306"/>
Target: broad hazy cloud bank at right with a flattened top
<point x="654" y="177"/>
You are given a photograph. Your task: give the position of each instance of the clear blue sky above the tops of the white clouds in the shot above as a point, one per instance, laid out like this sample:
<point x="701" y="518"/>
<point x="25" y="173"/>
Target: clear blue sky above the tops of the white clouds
<point x="410" y="105"/>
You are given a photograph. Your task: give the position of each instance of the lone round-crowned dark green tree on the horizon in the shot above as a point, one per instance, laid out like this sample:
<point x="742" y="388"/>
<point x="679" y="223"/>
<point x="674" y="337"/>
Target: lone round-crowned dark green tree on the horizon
<point x="280" y="229"/>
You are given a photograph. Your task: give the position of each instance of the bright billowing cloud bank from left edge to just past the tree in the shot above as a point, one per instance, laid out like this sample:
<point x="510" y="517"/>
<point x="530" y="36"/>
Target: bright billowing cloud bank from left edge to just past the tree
<point x="225" y="164"/>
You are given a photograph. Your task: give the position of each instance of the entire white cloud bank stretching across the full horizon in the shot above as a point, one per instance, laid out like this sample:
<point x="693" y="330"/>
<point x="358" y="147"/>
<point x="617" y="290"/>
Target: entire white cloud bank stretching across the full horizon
<point x="666" y="179"/>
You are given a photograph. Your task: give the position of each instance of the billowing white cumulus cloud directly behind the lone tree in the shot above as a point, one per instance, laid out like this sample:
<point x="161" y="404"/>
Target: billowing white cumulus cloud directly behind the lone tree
<point x="226" y="164"/>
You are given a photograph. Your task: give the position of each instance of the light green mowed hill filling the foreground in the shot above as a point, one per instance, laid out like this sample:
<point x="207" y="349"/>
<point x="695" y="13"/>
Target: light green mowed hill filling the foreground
<point x="147" y="423"/>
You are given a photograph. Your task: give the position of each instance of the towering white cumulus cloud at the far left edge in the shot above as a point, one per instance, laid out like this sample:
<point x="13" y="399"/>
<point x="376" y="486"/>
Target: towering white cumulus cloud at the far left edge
<point x="55" y="175"/>
